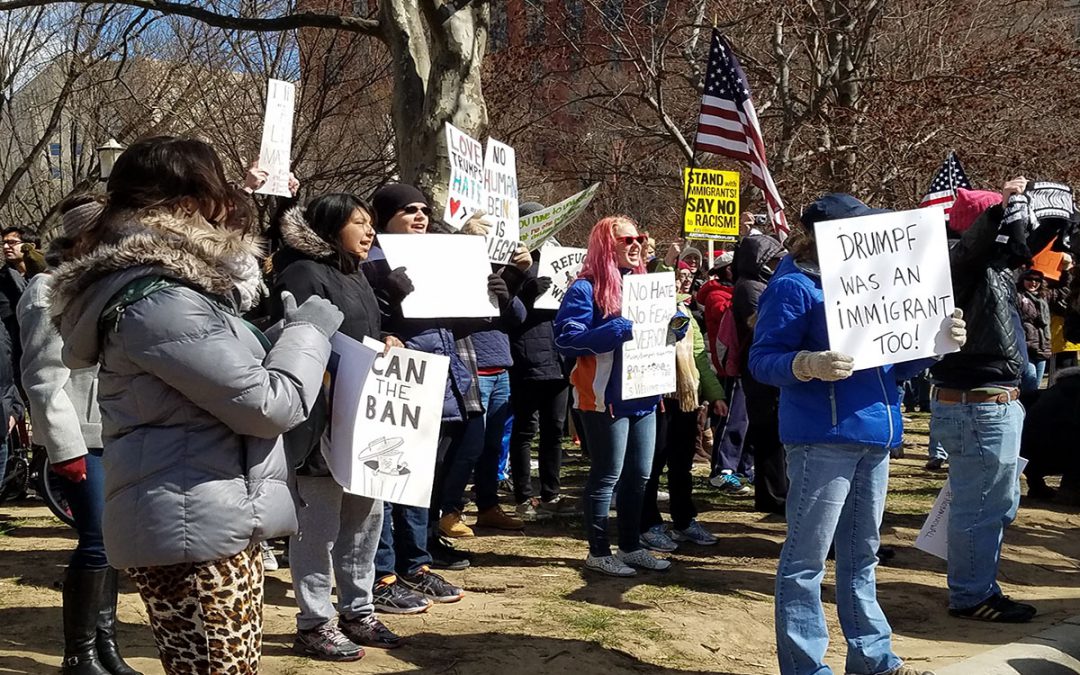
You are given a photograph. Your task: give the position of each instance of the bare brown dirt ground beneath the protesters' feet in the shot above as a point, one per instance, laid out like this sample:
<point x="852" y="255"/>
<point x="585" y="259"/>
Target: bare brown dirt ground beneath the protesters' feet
<point x="530" y="606"/>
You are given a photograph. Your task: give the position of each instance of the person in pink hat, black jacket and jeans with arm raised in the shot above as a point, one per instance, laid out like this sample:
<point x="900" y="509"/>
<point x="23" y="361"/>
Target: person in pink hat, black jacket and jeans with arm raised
<point x="976" y="403"/>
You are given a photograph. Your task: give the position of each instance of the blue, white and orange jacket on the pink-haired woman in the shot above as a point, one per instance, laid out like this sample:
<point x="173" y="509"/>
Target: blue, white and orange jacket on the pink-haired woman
<point x="585" y="334"/>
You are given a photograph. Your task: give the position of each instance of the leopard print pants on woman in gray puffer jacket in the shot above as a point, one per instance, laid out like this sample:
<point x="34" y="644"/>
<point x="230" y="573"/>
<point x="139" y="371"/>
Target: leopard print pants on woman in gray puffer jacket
<point x="207" y="617"/>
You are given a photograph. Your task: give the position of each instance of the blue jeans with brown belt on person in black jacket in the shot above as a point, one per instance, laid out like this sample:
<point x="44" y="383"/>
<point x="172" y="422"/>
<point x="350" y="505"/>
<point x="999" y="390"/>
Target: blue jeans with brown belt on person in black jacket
<point x="983" y="440"/>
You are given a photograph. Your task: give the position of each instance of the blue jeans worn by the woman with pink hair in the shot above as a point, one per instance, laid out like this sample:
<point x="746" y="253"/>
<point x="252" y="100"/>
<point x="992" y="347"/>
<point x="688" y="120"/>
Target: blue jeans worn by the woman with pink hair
<point x="622" y="451"/>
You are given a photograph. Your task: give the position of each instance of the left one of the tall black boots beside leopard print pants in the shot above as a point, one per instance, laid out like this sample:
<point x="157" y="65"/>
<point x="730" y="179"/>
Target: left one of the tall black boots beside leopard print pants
<point x="83" y="597"/>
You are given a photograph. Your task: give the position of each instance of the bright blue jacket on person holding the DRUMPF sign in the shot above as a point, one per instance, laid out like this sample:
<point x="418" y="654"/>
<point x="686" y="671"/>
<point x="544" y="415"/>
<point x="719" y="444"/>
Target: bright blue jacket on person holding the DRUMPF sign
<point x="862" y="410"/>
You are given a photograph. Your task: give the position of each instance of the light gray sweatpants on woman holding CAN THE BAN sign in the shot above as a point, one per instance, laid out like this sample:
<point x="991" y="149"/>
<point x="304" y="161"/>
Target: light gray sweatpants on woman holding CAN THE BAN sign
<point x="341" y="532"/>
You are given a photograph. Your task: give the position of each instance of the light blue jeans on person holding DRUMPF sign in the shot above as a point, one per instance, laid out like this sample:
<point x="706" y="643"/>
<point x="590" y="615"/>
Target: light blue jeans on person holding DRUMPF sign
<point x="836" y="495"/>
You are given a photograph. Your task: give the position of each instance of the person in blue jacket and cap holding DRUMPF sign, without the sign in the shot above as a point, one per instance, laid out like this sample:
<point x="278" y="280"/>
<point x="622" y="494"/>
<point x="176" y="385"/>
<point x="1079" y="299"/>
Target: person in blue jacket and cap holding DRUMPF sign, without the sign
<point x="838" y="426"/>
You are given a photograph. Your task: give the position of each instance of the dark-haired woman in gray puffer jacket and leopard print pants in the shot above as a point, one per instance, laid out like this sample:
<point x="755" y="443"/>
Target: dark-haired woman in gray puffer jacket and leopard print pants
<point x="194" y="399"/>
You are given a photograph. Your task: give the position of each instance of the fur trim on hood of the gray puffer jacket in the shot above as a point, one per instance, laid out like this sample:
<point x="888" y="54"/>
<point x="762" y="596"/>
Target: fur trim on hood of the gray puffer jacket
<point x="218" y="262"/>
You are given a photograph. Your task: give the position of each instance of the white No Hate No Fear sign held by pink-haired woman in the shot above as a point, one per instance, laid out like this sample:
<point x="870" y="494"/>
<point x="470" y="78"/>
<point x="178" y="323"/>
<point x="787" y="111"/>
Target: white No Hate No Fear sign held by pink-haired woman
<point x="649" y="360"/>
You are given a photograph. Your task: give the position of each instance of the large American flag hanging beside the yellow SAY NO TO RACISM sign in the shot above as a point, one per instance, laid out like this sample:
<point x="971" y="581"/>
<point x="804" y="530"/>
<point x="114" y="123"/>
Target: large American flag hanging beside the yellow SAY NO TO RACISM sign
<point x="728" y="125"/>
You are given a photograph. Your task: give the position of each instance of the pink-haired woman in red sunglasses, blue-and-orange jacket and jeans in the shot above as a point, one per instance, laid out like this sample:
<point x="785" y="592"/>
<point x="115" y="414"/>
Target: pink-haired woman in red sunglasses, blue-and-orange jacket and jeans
<point x="620" y="435"/>
